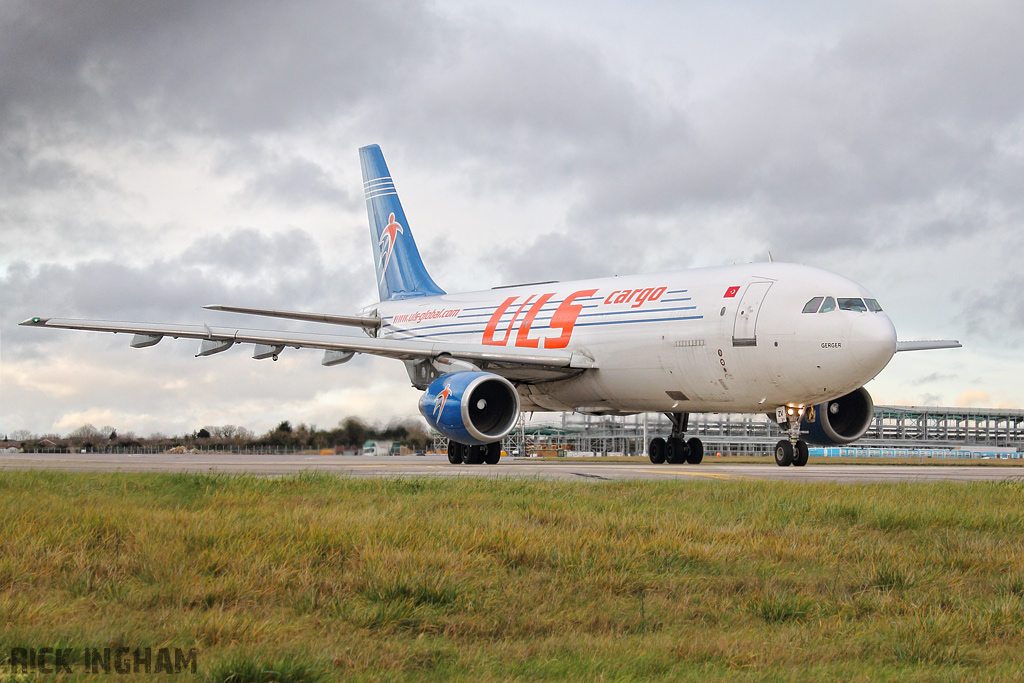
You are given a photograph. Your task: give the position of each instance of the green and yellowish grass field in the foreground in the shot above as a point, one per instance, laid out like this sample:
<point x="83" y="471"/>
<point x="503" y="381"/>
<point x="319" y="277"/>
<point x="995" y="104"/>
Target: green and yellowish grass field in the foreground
<point x="322" y="578"/>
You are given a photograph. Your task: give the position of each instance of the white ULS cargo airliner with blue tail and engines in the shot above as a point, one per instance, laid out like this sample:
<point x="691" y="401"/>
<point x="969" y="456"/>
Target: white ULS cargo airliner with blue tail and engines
<point x="795" y="343"/>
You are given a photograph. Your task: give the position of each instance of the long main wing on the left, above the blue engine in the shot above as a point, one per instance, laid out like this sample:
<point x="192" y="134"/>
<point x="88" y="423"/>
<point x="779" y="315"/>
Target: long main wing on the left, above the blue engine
<point x="524" y="363"/>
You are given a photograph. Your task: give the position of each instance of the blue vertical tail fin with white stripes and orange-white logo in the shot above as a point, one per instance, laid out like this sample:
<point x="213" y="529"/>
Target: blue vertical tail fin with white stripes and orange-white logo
<point x="401" y="274"/>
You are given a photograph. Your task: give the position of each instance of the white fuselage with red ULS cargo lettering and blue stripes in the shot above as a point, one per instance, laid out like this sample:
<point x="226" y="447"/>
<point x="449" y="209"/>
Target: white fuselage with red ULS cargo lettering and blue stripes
<point x="731" y="339"/>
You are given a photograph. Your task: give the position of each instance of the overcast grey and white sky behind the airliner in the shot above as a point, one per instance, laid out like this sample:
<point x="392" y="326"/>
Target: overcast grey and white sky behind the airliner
<point x="158" y="157"/>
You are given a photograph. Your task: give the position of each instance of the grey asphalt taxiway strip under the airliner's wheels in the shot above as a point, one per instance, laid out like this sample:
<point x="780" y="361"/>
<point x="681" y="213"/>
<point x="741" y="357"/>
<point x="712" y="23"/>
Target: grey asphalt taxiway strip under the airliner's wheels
<point x="570" y="469"/>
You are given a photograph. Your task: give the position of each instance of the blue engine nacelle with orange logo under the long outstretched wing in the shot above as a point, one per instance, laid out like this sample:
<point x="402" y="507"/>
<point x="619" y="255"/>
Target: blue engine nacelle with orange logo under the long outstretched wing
<point x="472" y="408"/>
